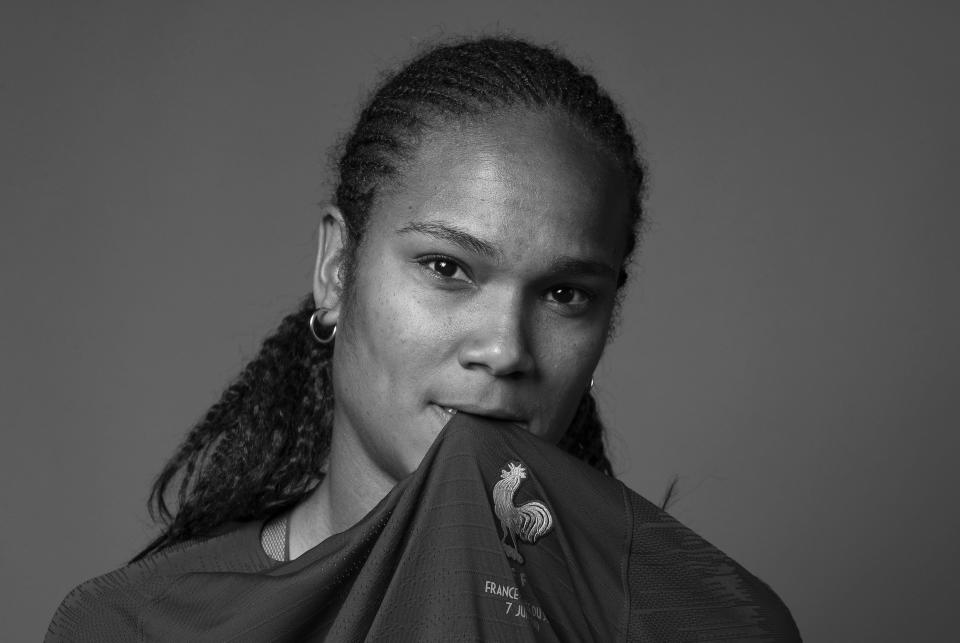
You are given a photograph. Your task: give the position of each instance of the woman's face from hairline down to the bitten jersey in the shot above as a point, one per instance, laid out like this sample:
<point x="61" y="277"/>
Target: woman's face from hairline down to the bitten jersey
<point x="485" y="284"/>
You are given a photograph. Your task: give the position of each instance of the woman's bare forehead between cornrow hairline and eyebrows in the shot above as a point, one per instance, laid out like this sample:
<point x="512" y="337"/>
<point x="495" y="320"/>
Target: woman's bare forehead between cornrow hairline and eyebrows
<point x="525" y="180"/>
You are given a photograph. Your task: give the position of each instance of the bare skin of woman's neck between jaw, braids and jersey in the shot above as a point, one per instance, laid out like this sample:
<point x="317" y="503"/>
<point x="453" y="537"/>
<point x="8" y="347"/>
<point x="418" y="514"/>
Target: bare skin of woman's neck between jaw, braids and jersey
<point x="353" y="485"/>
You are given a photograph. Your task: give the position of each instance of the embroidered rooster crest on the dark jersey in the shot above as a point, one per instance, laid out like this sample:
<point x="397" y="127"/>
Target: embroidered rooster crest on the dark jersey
<point x="528" y="522"/>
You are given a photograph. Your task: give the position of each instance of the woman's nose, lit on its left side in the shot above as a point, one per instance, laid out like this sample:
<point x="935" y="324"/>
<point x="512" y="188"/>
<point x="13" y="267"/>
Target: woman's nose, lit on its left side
<point x="497" y="342"/>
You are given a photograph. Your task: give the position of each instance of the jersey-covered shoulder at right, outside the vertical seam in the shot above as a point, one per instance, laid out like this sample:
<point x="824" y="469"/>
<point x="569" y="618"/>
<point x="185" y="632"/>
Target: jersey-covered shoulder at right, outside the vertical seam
<point x="678" y="579"/>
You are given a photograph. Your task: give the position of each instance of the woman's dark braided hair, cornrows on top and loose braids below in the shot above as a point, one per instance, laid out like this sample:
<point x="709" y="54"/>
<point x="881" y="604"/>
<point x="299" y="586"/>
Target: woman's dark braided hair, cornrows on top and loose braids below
<point x="262" y="446"/>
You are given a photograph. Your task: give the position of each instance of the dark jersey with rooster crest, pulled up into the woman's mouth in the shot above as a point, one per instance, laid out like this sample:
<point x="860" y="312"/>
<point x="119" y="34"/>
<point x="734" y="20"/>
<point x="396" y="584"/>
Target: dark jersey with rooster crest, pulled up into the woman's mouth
<point x="436" y="560"/>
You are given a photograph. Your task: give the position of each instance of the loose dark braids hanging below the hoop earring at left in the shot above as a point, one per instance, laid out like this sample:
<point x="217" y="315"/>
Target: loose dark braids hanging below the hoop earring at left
<point x="257" y="449"/>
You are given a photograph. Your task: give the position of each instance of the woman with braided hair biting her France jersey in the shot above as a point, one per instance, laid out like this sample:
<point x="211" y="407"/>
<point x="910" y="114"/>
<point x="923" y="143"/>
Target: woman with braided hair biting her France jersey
<point x="489" y="200"/>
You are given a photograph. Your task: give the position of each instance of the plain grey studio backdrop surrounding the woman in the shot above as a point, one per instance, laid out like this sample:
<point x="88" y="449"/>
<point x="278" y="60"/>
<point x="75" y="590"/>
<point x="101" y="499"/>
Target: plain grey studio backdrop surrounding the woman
<point x="788" y="347"/>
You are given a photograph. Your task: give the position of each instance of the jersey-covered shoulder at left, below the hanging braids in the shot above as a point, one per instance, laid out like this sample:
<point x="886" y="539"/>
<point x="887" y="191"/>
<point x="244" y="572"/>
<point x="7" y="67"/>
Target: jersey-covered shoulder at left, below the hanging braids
<point x="110" y="607"/>
